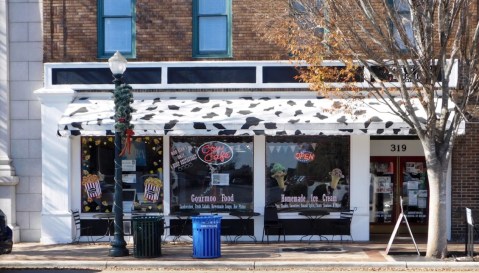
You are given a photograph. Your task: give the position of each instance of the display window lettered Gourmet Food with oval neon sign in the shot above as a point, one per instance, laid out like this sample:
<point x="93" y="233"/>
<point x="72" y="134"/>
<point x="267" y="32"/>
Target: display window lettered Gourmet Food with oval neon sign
<point x="211" y="174"/>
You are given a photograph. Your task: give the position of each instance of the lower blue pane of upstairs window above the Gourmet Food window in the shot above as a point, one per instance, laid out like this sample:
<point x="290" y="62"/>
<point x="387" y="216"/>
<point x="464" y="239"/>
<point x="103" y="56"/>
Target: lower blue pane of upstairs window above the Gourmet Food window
<point x="212" y="34"/>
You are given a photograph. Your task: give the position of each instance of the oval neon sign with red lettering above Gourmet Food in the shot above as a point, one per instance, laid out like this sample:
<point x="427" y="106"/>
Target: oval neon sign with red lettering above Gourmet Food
<point x="215" y="152"/>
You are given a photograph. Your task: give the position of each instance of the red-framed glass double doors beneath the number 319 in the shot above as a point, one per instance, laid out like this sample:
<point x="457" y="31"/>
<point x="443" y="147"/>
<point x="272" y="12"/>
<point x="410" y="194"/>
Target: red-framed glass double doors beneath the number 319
<point x="391" y="179"/>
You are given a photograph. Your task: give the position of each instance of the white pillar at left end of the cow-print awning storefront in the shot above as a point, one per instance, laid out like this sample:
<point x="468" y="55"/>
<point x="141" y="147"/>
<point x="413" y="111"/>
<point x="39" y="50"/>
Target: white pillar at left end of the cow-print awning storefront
<point x="56" y="222"/>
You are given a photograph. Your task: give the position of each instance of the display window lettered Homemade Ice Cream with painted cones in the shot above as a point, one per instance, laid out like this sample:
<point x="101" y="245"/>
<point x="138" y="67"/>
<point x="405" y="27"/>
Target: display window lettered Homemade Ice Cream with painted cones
<point x="305" y="172"/>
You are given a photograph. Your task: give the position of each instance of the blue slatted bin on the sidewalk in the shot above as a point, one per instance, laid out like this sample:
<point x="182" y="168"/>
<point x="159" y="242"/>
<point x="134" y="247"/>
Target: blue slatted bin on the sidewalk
<point x="206" y="236"/>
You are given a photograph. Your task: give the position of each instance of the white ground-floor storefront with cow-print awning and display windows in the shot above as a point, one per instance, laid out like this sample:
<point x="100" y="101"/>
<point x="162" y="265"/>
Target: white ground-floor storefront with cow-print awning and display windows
<point x="225" y="151"/>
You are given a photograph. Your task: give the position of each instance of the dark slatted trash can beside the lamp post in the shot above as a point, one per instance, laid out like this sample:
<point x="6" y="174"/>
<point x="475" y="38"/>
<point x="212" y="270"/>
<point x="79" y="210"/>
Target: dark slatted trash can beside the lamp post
<point x="147" y="232"/>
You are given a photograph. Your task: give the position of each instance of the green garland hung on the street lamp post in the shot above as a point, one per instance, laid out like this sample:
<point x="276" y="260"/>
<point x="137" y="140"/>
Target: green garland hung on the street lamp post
<point x="123" y="98"/>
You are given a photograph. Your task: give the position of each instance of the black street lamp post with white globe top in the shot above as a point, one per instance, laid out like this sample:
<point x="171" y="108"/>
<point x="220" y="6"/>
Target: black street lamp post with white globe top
<point x="118" y="246"/>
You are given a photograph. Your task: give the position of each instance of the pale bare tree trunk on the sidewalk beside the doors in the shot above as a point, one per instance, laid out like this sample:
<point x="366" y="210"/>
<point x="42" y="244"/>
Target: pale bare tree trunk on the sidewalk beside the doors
<point x="437" y="228"/>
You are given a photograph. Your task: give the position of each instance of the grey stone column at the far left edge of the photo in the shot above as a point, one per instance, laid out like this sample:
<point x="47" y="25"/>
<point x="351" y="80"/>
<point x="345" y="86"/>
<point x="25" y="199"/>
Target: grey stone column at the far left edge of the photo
<point x="8" y="180"/>
